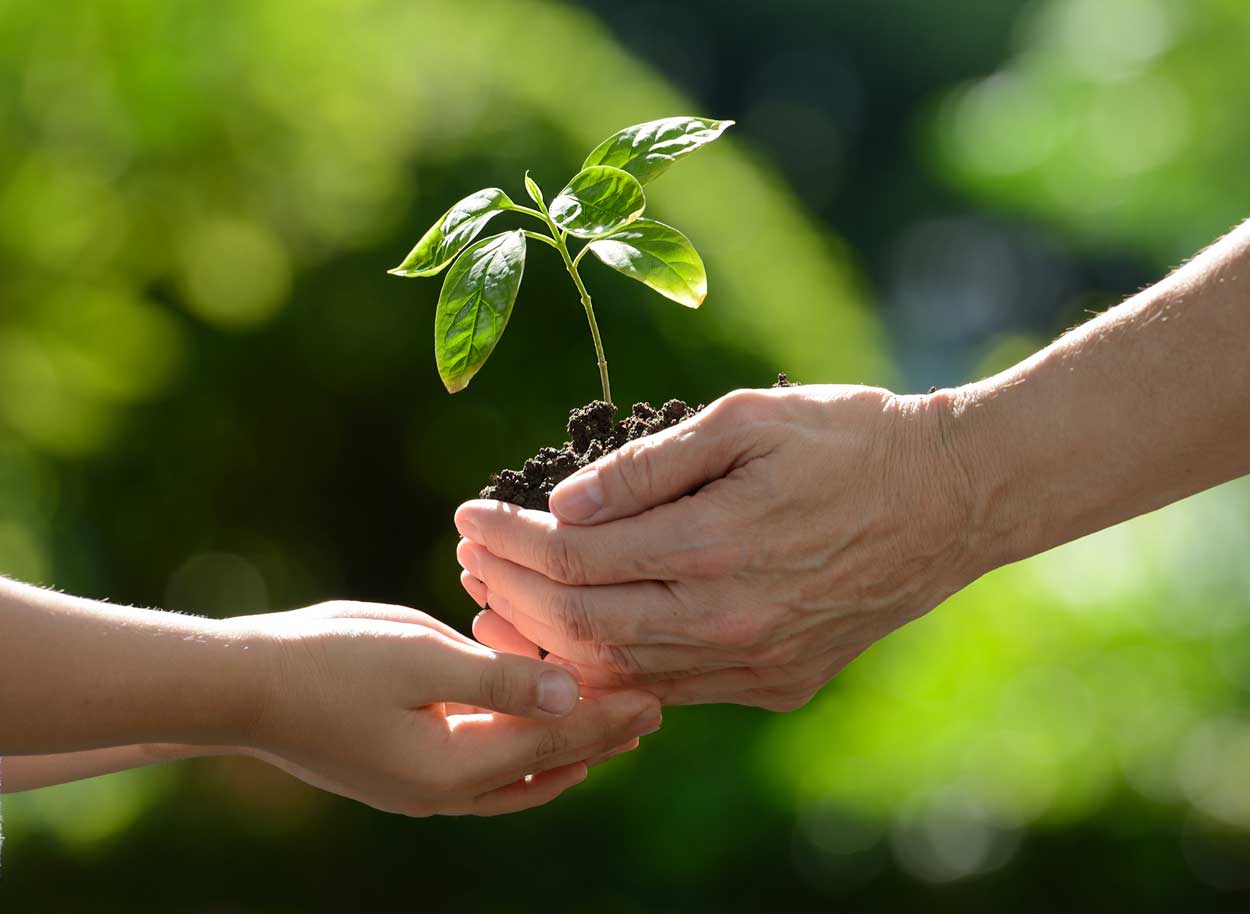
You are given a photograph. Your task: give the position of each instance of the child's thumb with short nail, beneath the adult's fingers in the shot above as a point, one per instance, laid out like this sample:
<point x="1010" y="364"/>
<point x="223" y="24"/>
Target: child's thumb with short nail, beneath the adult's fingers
<point x="504" y="683"/>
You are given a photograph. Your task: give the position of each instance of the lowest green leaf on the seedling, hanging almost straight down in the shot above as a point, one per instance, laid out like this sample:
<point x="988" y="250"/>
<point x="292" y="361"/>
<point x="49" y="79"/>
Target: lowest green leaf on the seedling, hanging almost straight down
<point x="476" y="304"/>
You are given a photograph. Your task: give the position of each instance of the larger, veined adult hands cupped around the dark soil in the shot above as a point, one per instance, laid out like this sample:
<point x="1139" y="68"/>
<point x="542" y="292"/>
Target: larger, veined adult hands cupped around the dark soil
<point x="746" y="556"/>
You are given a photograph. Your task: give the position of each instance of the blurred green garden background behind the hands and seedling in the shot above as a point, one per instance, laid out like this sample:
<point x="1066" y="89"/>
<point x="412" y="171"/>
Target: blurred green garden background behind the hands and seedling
<point x="214" y="399"/>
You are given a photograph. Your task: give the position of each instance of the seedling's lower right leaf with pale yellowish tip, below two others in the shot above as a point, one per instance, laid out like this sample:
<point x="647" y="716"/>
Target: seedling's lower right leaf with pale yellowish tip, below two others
<point x="659" y="257"/>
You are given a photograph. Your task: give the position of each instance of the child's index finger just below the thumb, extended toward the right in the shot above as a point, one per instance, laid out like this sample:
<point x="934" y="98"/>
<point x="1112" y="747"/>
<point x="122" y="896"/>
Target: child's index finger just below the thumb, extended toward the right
<point x="496" y="751"/>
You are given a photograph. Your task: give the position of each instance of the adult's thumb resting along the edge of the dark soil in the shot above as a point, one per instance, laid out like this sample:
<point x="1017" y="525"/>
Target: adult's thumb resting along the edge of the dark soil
<point x="653" y="471"/>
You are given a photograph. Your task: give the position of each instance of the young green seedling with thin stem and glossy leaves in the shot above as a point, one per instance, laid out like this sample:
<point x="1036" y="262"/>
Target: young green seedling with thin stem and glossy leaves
<point x="602" y="207"/>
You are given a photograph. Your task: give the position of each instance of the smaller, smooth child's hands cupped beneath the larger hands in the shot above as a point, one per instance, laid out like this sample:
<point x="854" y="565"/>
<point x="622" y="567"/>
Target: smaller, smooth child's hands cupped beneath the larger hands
<point x="391" y="707"/>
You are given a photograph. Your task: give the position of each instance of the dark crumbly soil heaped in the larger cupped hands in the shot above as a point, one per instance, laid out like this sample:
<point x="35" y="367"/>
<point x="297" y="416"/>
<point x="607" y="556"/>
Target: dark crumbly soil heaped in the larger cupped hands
<point x="593" y="431"/>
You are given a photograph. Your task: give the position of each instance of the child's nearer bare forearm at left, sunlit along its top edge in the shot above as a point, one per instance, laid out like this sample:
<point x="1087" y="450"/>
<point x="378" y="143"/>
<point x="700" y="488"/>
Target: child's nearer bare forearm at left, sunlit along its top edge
<point x="77" y="675"/>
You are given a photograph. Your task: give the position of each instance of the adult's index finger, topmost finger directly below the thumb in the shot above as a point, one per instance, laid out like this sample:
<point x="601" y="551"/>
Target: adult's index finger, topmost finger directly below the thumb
<point x="693" y="537"/>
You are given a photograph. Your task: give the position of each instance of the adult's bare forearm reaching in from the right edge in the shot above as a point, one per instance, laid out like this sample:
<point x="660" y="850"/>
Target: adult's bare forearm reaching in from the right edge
<point x="1141" y="407"/>
